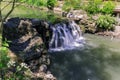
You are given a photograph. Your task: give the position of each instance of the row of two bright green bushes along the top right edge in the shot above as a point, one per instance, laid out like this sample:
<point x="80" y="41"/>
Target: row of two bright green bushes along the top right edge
<point x="97" y="6"/>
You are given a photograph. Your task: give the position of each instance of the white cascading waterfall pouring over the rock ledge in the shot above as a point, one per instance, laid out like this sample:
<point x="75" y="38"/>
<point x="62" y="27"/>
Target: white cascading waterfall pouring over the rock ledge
<point x="66" y="36"/>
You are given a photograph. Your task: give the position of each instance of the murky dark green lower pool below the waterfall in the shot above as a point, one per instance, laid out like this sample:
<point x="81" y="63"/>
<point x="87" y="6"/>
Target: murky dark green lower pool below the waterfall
<point x="99" y="60"/>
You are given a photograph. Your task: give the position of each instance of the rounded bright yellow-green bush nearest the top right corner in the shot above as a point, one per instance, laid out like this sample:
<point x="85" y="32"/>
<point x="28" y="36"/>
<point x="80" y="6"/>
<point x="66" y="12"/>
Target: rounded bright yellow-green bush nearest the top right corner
<point x="108" y="7"/>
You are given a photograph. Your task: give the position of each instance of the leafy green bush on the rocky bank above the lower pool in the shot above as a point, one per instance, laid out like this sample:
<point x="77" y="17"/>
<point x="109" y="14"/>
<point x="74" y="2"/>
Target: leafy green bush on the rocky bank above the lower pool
<point x="105" y="22"/>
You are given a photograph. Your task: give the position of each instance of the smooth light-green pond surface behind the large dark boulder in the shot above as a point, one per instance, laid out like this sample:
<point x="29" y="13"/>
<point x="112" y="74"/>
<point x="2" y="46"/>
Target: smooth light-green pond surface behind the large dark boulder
<point x="26" y="12"/>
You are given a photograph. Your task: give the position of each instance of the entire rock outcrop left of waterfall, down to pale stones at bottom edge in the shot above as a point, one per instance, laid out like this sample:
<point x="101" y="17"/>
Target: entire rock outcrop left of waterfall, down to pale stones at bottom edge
<point x="28" y="40"/>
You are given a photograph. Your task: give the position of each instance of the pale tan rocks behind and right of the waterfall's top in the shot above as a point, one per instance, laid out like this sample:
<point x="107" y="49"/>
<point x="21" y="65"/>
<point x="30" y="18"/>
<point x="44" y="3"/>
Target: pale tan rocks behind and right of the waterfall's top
<point x="86" y="23"/>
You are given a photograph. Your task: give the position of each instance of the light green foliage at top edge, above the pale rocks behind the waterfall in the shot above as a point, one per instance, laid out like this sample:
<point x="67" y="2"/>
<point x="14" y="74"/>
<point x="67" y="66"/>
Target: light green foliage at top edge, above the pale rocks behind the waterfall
<point x="71" y="4"/>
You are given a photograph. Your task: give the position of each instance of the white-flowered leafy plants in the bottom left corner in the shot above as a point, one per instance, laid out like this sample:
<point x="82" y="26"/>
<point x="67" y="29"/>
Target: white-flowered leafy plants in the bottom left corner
<point x="21" y="71"/>
